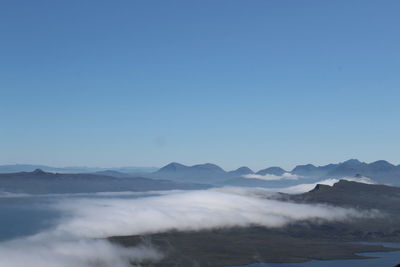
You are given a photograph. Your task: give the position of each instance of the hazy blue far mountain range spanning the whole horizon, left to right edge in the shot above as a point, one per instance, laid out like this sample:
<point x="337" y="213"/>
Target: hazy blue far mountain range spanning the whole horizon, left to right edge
<point x="380" y="171"/>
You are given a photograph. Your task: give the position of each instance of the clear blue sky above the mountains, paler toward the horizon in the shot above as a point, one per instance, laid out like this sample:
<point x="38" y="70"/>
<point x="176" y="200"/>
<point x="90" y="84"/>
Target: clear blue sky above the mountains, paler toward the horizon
<point x="256" y="83"/>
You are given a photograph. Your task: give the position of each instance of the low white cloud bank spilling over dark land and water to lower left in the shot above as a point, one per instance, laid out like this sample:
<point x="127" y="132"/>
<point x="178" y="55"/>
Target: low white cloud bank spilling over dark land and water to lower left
<point x="74" y="241"/>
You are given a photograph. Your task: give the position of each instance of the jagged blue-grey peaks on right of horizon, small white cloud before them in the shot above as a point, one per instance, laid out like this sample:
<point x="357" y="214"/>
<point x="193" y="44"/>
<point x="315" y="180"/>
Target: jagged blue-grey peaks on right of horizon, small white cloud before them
<point x="381" y="171"/>
